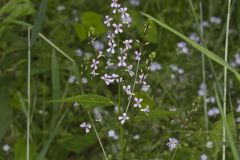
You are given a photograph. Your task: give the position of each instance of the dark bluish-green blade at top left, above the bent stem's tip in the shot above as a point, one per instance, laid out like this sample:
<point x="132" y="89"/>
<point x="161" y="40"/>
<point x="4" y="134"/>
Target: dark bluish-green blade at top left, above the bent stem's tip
<point x="39" y="20"/>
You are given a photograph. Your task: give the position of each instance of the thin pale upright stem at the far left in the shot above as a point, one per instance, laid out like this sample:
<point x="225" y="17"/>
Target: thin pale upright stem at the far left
<point x="29" y="95"/>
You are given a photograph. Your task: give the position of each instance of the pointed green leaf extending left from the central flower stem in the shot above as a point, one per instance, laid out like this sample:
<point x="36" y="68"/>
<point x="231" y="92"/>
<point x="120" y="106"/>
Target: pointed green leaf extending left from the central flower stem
<point x="88" y="100"/>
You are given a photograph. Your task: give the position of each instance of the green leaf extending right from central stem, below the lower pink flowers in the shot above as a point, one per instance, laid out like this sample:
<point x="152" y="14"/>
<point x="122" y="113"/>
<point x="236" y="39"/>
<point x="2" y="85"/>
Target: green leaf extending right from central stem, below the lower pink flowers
<point x="155" y="114"/>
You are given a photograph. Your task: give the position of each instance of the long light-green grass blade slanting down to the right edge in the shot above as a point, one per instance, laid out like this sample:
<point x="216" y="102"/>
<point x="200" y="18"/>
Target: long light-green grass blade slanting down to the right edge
<point x="203" y="50"/>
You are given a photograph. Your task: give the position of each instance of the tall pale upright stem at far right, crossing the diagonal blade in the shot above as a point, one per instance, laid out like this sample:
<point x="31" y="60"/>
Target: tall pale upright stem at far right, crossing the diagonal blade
<point x="225" y="81"/>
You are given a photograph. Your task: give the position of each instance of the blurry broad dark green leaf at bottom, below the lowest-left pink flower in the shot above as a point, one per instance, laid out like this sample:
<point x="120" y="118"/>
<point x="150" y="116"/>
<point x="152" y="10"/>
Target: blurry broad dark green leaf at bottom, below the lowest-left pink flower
<point x="78" y="143"/>
